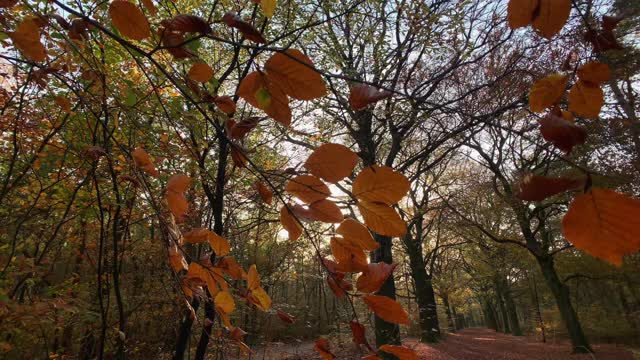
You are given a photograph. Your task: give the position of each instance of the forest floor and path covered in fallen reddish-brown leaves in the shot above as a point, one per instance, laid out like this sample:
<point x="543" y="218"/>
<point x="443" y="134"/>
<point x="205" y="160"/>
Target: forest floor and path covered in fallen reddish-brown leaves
<point x="468" y="344"/>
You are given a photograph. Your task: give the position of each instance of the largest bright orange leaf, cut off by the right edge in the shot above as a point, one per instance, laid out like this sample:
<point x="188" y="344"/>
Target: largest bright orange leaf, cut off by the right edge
<point x="604" y="223"/>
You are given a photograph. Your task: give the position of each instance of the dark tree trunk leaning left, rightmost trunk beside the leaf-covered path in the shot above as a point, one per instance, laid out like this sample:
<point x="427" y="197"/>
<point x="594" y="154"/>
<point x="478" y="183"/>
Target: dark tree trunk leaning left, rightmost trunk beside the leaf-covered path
<point x="563" y="301"/>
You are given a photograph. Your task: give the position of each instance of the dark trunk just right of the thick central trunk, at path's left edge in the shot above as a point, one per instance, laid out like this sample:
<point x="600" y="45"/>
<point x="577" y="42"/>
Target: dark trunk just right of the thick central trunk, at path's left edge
<point x="425" y="298"/>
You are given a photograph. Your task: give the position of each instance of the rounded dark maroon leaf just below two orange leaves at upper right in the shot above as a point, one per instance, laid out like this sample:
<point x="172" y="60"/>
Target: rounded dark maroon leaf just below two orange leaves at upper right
<point x="561" y="133"/>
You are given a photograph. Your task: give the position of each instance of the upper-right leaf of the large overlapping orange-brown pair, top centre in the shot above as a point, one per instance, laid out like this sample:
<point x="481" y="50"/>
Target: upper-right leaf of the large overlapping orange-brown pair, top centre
<point x="294" y="73"/>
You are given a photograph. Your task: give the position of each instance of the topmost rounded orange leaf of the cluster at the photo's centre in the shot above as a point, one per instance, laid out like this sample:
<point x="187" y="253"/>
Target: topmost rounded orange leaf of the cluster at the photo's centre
<point x="331" y="162"/>
